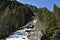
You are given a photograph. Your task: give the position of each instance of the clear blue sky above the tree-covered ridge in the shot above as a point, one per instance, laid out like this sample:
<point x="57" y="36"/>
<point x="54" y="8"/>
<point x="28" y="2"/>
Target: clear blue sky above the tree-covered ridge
<point x="41" y="3"/>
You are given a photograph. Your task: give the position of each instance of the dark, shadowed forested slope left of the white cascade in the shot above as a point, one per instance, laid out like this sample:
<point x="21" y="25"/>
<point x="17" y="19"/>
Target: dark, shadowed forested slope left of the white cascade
<point x="13" y="15"/>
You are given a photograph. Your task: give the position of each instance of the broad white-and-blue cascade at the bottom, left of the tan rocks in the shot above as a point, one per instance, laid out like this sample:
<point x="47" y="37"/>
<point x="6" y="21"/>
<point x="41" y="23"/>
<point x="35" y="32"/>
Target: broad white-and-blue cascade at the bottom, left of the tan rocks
<point x="19" y="35"/>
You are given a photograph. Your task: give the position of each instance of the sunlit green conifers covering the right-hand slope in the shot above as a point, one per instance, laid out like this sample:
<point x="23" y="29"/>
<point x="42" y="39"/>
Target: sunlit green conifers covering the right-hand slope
<point x="51" y="22"/>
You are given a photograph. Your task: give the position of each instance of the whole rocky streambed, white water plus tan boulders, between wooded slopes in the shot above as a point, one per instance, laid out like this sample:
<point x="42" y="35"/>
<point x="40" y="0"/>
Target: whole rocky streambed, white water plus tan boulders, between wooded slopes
<point x="28" y="33"/>
